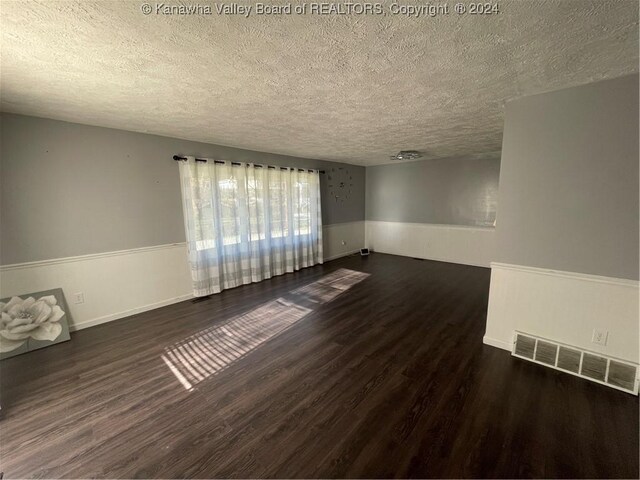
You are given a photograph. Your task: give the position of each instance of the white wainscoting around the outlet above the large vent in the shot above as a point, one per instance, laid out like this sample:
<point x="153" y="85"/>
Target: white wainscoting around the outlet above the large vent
<point x="565" y="307"/>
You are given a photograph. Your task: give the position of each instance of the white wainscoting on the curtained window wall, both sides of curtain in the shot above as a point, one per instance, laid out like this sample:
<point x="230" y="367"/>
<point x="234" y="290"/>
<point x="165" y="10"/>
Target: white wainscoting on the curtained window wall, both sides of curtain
<point x="122" y="283"/>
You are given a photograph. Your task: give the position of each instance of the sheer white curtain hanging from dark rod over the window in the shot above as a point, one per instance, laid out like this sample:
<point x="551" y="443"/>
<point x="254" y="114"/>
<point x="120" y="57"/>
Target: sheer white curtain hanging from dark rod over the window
<point x="245" y="224"/>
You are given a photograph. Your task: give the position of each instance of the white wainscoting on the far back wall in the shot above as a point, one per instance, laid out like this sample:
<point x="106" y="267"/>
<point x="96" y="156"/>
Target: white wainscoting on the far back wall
<point x="447" y="243"/>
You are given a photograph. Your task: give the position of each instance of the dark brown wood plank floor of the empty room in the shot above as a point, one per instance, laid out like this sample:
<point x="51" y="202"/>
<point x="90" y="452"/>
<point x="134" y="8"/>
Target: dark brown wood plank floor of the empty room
<point x="305" y="375"/>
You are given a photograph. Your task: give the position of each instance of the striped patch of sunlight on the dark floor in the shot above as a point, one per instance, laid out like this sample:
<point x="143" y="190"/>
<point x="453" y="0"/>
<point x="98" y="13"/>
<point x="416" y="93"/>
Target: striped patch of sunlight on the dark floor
<point x="210" y="351"/>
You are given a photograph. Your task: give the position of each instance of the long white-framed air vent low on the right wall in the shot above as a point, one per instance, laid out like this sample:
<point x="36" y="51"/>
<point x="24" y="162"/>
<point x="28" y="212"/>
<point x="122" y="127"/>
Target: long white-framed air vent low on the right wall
<point x="592" y="366"/>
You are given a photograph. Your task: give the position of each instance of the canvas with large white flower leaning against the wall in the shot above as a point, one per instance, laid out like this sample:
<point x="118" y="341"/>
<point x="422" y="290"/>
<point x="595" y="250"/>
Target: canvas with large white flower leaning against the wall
<point x="32" y="321"/>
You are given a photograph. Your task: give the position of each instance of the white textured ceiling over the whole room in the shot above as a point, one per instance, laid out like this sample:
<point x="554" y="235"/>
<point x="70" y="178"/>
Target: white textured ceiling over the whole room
<point x="349" y="88"/>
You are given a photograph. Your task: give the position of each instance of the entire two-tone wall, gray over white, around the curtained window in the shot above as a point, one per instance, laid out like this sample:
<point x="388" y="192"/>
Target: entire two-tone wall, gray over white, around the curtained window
<point x="98" y="211"/>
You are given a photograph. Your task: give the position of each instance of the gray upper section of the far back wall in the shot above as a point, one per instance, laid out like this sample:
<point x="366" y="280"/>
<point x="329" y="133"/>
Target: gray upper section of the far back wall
<point x="454" y="191"/>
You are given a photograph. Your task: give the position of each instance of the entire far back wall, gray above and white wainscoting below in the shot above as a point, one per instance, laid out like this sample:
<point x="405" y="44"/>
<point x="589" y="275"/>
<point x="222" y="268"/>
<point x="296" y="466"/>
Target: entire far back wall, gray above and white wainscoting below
<point x="435" y="209"/>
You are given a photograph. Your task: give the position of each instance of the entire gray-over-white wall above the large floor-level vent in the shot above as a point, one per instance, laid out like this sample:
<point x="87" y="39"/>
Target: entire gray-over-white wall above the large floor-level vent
<point x="567" y="227"/>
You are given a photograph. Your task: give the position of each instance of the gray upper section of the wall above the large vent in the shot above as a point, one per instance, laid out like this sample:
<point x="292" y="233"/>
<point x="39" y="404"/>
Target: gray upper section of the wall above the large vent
<point x="569" y="180"/>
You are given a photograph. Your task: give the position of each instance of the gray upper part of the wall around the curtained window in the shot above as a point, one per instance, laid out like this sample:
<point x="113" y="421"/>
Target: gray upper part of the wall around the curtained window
<point x="68" y="189"/>
